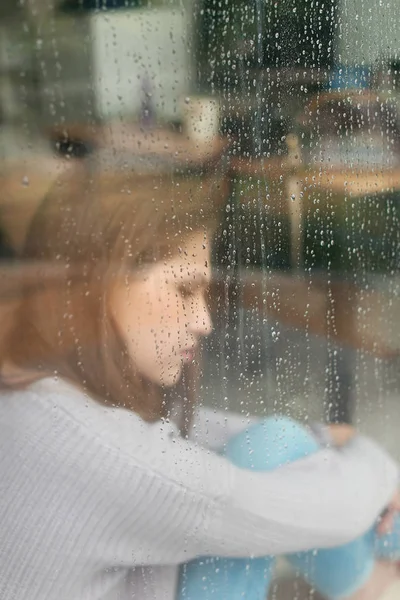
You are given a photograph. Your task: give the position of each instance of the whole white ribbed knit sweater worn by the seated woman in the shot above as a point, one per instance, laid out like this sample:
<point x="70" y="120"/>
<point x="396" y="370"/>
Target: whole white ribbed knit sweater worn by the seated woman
<point x="95" y="504"/>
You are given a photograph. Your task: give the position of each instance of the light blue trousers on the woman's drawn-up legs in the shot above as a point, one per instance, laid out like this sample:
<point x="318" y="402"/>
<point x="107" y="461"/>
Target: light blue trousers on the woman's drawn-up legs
<point x="336" y="572"/>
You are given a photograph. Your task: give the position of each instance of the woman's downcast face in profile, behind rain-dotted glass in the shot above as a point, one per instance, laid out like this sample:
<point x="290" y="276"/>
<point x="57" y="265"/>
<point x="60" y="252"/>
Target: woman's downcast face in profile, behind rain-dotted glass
<point x="162" y="311"/>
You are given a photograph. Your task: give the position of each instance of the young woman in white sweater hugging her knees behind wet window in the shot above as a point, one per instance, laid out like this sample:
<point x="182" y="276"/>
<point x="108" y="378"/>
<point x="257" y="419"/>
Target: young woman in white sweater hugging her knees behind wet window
<point x="101" y="496"/>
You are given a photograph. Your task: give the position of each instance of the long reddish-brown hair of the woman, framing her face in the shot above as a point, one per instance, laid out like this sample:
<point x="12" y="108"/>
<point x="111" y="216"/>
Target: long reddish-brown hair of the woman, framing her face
<point x="95" y="225"/>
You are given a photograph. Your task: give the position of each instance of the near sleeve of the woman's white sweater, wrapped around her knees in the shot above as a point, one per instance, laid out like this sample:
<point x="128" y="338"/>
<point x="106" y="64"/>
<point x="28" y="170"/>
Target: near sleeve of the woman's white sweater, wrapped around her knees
<point x="150" y="497"/>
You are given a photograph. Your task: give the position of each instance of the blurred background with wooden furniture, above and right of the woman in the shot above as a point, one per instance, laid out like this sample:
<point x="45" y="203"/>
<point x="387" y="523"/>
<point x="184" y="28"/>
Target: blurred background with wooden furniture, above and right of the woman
<point x="300" y="100"/>
